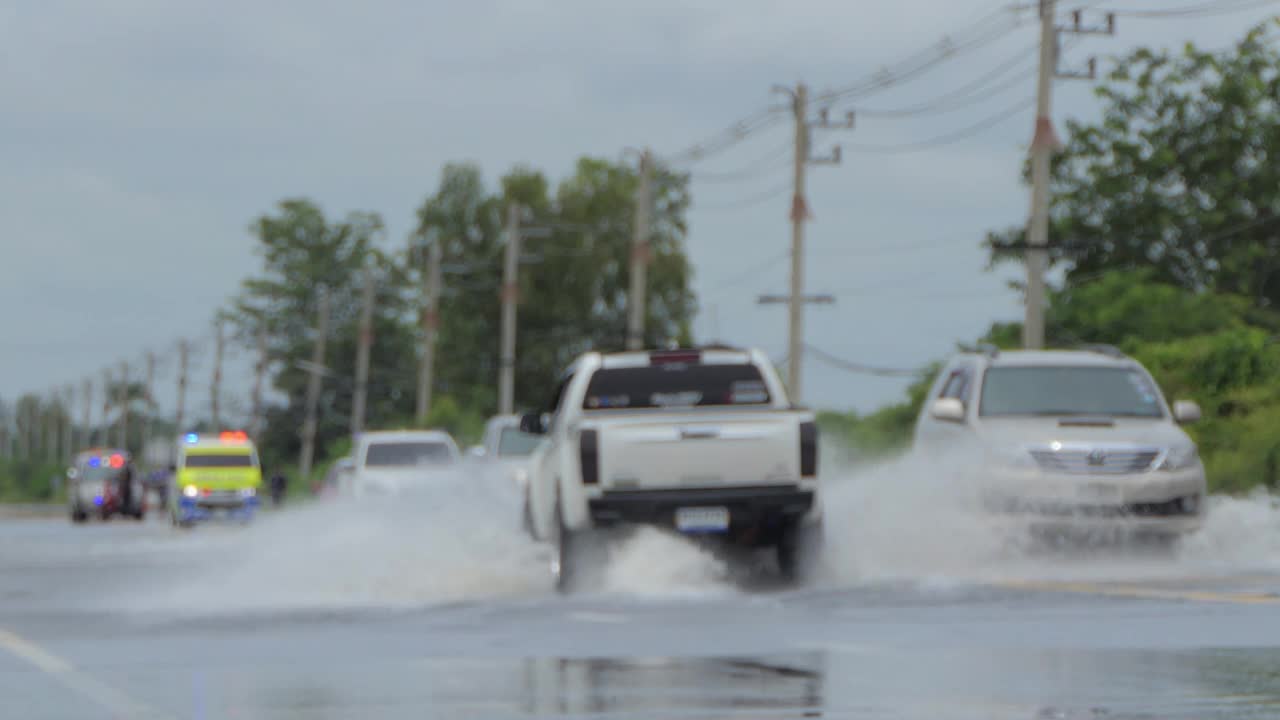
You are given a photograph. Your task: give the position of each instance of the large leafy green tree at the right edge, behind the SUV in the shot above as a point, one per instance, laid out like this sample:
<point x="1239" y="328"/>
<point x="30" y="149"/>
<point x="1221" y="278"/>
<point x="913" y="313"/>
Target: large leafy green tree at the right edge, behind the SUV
<point x="1180" y="176"/>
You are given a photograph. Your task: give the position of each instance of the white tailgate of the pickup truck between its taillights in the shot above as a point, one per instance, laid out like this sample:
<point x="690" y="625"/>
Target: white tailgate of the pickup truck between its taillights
<point x="700" y="453"/>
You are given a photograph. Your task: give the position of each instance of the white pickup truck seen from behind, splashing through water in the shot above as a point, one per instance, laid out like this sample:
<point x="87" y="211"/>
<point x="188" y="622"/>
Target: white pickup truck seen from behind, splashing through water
<point x="702" y="441"/>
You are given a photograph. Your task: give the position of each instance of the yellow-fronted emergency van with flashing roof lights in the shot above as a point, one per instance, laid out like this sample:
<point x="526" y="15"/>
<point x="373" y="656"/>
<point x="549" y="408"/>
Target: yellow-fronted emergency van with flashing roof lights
<point x="217" y="476"/>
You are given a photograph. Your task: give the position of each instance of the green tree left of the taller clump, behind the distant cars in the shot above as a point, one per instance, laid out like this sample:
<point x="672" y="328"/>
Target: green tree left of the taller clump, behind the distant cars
<point x="305" y="254"/>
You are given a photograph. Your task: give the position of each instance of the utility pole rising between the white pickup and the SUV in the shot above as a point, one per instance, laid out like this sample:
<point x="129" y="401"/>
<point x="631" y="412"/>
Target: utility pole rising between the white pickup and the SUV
<point x="799" y="216"/>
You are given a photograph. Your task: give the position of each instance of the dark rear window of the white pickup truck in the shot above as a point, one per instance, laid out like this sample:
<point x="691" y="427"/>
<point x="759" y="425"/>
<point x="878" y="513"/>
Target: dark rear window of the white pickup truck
<point x="676" y="386"/>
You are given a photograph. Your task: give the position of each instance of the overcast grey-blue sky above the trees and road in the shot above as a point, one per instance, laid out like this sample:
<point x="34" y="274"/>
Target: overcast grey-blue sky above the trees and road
<point x="140" y="138"/>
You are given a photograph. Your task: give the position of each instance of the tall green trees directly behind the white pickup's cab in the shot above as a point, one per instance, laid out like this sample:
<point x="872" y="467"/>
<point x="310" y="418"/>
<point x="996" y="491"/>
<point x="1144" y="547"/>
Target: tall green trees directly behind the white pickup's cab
<point x="574" y="284"/>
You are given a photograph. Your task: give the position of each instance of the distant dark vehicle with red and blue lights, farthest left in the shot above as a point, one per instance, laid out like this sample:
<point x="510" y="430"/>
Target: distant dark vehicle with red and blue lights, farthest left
<point x="94" y="486"/>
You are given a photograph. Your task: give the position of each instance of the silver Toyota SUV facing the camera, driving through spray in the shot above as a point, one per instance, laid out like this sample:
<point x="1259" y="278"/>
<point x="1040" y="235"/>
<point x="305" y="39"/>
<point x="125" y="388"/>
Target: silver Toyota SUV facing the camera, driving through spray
<point x="1071" y="438"/>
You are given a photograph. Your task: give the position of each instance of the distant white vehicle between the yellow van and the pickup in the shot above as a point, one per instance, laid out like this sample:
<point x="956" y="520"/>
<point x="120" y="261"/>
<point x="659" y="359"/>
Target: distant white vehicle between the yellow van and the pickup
<point x="396" y="462"/>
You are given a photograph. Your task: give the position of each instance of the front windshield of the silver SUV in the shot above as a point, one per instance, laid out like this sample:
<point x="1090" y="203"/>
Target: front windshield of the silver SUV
<point x="1069" y="391"/>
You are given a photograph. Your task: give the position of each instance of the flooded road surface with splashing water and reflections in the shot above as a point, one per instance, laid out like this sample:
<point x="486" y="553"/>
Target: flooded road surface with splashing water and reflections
<point x="327" y="613"/>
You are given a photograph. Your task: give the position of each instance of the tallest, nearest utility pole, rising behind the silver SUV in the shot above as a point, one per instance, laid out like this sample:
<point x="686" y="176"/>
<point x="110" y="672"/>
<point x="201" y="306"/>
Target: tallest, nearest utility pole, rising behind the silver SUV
<point x="1044" y="144"/>
